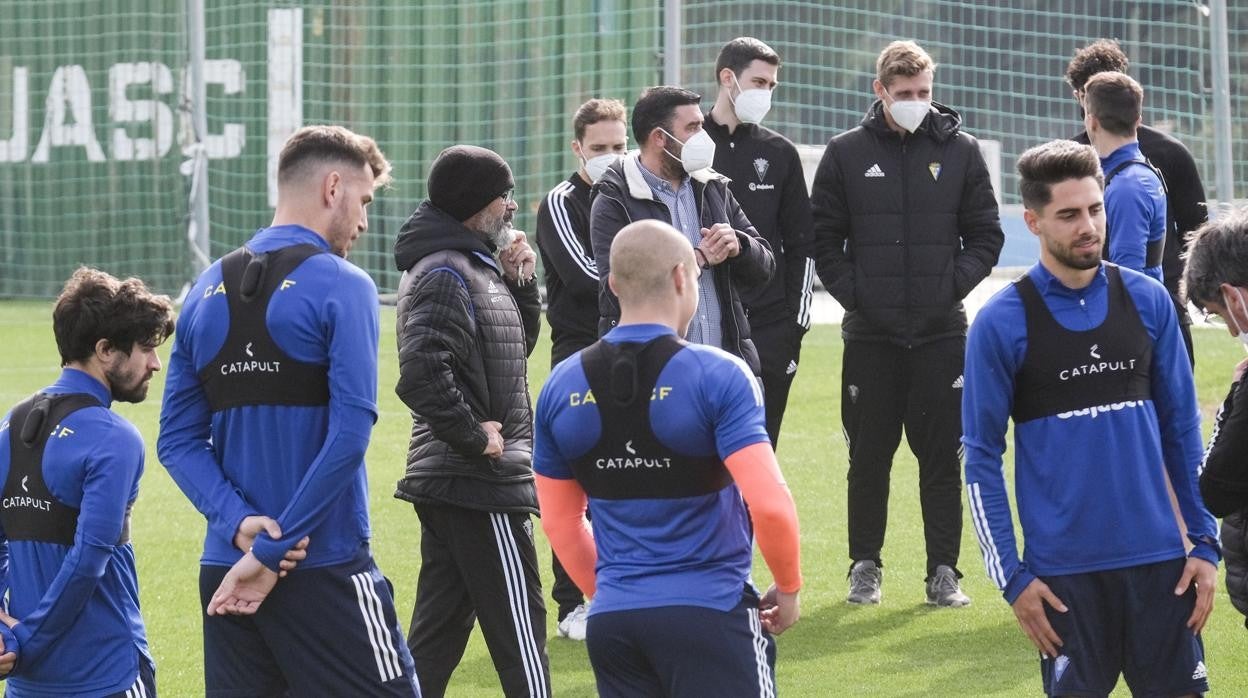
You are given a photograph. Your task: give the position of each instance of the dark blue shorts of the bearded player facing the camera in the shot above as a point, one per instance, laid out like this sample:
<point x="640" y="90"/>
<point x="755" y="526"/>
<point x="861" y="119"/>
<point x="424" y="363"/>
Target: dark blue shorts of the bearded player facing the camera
<point x="1125" y="621"/>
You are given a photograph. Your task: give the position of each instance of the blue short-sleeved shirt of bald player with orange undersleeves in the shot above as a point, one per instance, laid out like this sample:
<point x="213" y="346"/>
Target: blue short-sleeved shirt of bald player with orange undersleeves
<point x="691" y="551"/>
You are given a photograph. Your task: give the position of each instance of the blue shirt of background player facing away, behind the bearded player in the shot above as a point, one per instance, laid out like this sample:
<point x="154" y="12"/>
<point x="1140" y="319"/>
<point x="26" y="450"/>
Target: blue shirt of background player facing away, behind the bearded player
<point x="1135" y="209"/>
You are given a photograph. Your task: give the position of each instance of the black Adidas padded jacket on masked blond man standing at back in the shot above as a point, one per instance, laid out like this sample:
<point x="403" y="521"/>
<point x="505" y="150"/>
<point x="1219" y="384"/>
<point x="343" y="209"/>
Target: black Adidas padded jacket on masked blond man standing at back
<point x="904" y="228"/>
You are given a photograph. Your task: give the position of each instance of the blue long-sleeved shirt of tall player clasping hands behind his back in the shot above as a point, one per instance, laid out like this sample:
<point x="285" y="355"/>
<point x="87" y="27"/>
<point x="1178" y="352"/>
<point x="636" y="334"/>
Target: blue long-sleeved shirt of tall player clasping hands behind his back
<point x="301" y="465"/>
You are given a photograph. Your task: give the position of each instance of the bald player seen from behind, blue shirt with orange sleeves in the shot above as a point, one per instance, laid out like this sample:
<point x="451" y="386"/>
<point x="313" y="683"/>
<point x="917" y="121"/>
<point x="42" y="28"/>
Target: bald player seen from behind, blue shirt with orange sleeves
<point x="666" y="443"/>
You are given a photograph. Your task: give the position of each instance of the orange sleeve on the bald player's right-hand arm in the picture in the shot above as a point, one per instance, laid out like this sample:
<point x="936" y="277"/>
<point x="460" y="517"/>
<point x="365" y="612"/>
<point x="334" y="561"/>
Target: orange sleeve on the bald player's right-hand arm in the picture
<point x="772" y="510"/>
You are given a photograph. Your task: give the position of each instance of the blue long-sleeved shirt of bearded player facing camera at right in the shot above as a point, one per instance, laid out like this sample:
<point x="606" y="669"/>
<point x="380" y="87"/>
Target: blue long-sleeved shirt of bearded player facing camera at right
<point x="1090" y="485"/>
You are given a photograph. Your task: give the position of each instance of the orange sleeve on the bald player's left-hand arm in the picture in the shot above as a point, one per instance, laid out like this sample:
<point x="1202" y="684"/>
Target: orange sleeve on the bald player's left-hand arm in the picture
<point x="563" y="519"/>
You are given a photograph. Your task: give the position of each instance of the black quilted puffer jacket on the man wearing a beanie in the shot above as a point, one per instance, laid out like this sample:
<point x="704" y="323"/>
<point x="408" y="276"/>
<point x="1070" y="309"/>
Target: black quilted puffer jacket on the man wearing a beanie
<point x="465" y="334"/>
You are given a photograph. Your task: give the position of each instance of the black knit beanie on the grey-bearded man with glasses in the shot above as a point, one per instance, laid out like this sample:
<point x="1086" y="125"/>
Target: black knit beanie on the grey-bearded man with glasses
<point x="465" y="179"/>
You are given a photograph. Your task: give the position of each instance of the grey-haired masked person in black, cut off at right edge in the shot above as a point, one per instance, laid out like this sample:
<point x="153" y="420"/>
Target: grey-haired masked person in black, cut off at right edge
<point x="1216" y="279"/>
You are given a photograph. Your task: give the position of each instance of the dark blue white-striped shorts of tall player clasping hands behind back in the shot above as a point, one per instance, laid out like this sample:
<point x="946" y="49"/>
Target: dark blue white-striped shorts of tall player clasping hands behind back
<point x="329" y="631"/>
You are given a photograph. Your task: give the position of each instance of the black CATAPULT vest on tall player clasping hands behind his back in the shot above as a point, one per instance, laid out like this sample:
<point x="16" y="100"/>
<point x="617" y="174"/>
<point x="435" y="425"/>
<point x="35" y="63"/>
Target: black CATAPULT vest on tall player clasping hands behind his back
<point x="251" y="369"/>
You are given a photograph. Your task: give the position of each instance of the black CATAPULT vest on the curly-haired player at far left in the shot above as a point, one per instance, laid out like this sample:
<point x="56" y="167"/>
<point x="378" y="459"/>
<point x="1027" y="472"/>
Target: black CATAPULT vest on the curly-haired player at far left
<point x="28" y="509"/>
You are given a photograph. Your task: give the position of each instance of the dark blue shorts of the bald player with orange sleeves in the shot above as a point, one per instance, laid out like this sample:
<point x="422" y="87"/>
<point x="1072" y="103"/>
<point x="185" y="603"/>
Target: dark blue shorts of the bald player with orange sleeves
<point x="678" y="651"/>
